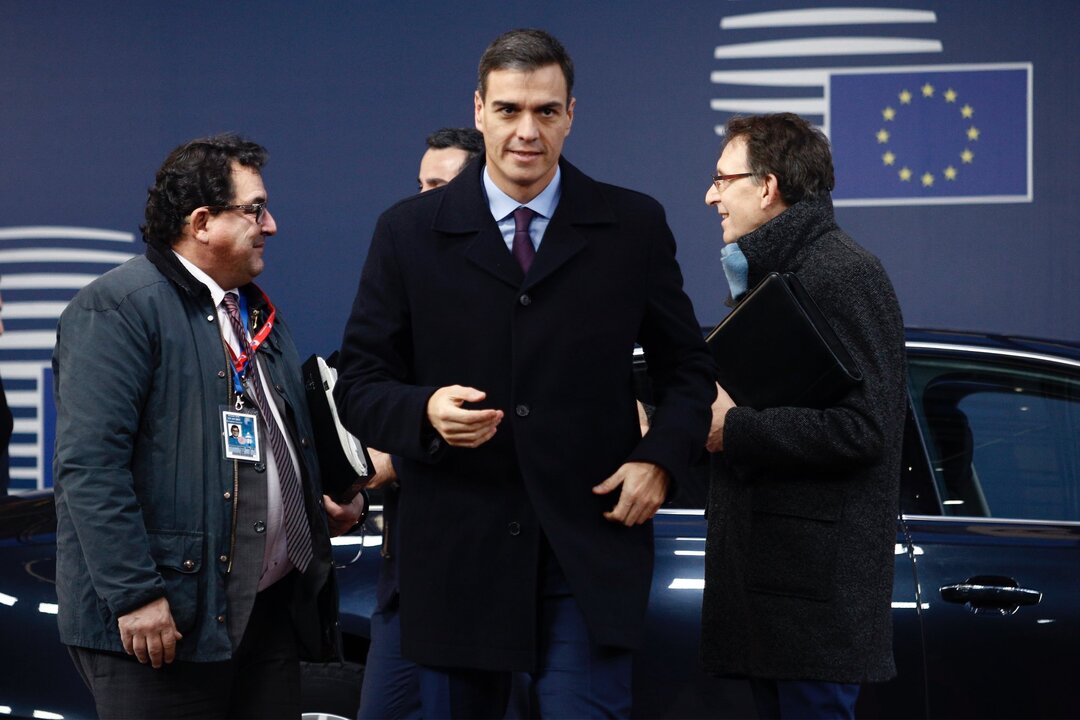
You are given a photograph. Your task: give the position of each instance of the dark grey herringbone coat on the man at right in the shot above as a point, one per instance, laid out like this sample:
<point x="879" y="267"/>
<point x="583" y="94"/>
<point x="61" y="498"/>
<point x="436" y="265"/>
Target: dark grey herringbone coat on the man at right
<point x="804" y="502"/>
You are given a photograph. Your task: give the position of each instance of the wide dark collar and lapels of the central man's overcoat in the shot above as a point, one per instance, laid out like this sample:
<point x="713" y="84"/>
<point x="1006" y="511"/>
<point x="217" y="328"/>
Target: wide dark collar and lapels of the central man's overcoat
<point x="464" y="211"/>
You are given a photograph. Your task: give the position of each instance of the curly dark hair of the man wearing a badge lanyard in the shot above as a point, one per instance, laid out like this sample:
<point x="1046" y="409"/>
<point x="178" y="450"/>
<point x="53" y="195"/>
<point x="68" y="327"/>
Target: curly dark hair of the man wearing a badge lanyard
<point x="196" y="174"/>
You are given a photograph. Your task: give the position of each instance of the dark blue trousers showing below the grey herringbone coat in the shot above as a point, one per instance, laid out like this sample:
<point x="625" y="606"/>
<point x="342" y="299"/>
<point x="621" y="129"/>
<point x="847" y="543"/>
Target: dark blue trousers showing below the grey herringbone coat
<point x="798" y="700"/>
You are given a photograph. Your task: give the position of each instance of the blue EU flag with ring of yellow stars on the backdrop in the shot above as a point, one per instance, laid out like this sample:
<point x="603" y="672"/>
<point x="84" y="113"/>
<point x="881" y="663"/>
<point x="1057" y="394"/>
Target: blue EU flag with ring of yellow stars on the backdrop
<point x="931" y="135"/>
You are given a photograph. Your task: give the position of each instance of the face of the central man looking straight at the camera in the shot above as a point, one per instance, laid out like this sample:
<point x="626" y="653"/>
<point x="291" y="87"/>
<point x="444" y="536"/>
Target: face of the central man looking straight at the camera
<point x="525" y="117"/>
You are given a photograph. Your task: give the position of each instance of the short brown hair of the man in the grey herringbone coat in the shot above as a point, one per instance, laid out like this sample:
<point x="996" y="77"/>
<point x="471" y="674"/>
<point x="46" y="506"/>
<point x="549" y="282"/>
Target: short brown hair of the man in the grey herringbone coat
<point x="789" y="147"/>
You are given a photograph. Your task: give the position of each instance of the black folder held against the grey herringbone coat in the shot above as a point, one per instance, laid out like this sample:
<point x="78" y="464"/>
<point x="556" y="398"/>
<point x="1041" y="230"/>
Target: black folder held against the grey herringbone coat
<point x="776" y="349"/>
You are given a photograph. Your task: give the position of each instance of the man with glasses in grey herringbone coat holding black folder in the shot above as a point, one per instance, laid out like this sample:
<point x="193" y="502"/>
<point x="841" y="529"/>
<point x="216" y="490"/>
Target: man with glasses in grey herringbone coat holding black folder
<point x="803" y="500"/>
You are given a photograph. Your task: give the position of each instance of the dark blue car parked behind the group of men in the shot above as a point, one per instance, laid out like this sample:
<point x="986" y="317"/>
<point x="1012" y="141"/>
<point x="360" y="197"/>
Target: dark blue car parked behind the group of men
<point x="987" y="600"/>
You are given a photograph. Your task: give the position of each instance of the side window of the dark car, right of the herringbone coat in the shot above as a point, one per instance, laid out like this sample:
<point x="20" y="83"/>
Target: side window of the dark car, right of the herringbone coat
<point x="1004" y="440"/>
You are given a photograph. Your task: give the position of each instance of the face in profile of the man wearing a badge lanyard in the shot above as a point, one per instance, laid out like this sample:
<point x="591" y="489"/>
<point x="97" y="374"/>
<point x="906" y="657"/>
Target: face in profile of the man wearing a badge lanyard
<point x="236" y="241"/>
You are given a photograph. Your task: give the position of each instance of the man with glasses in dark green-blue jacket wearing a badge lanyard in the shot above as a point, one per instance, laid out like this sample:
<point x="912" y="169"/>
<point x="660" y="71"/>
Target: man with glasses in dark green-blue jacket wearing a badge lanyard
<point x="192" y="576"/>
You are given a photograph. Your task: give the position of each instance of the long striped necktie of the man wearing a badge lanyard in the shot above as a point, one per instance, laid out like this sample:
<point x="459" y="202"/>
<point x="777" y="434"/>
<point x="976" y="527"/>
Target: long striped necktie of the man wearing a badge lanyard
<point x="298" y="531"/>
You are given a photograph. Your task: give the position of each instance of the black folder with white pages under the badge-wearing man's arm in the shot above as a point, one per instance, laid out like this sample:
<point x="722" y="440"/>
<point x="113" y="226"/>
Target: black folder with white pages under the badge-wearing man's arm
<point x="344" y="461"/>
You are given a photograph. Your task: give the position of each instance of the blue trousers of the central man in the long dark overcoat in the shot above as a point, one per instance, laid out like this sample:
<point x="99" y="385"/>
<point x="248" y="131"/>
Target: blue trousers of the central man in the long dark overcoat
<point x="576" y="678"/>
